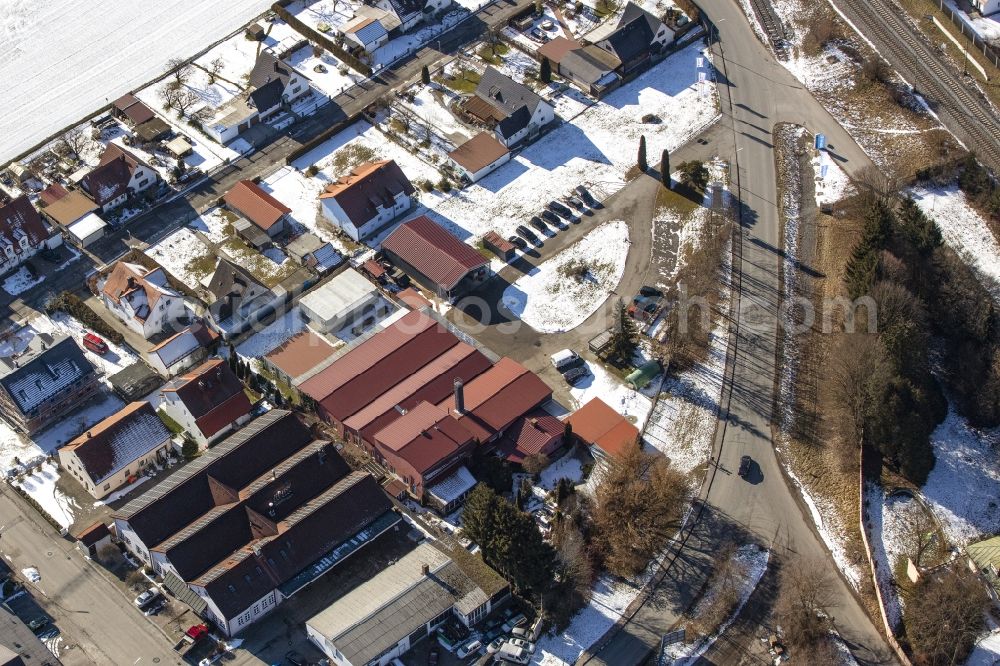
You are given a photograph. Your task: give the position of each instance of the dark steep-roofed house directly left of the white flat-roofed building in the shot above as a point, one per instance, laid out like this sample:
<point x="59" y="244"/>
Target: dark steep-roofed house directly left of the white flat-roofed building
<point x="239" y="299"/>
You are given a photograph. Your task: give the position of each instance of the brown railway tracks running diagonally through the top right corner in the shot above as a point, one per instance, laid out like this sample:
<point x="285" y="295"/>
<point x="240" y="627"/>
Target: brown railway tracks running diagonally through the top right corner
<point x="943" y="88"/>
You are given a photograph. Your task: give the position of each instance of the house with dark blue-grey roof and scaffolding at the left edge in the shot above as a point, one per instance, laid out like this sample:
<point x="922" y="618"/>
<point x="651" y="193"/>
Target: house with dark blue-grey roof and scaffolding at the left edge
<point x="42" y="379"/>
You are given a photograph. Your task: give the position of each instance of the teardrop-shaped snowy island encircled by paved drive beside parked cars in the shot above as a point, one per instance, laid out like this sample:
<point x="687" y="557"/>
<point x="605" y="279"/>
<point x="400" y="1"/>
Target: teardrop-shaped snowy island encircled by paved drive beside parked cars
<point x="551" y="299"/>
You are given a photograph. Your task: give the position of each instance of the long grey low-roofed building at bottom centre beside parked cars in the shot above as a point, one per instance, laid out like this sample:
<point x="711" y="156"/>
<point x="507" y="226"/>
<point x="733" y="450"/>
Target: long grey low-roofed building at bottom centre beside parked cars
<point x="382" y="618"/>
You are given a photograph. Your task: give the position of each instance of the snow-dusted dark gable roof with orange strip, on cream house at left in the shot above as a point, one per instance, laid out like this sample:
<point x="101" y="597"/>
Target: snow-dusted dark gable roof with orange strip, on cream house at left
<point x="119" y="440"/>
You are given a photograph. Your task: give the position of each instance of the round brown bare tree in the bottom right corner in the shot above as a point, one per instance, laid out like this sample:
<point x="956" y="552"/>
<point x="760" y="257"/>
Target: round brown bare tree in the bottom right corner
<point x="944" y="615"/>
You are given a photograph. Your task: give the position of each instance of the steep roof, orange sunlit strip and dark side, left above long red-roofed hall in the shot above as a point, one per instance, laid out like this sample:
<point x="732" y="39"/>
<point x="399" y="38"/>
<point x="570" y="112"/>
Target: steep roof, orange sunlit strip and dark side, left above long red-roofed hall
<point x="367" y="187"/>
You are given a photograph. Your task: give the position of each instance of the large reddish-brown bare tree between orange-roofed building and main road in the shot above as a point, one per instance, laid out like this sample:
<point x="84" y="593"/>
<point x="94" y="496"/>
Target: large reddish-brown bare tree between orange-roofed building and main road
<point x="637" y="506"/>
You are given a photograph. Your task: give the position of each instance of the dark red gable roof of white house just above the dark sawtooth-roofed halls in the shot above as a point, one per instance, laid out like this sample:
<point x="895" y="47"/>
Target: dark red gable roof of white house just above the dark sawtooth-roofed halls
<point x="212" y="394"/>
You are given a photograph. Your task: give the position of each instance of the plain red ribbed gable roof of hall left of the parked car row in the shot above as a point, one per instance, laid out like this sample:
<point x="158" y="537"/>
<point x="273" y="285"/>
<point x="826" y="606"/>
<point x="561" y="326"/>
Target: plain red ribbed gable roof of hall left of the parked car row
<point x="429" y="248"/>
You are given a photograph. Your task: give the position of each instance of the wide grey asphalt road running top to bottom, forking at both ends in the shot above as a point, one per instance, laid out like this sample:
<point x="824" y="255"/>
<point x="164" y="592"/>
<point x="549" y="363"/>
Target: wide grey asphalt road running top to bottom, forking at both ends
<point x="756" y="94"/>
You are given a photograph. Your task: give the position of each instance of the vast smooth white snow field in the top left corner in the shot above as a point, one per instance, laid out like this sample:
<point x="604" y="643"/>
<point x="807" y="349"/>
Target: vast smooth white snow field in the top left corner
<point x="58" y="43"/>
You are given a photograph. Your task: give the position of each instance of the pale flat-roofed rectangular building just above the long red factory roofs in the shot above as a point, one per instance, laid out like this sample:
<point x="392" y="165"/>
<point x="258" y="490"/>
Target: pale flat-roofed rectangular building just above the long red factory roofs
<point x="347" y="302"/>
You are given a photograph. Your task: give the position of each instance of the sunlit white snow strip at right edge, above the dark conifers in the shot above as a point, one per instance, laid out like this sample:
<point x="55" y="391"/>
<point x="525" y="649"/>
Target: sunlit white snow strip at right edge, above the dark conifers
<point x="963" y="228"/>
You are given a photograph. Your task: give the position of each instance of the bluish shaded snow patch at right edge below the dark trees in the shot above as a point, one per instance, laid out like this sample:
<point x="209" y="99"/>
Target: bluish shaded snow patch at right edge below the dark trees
<point x="964" y="485"/>
